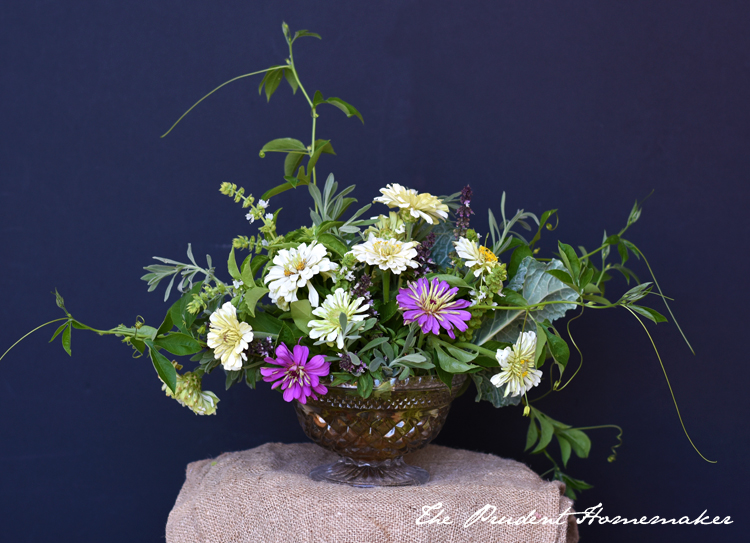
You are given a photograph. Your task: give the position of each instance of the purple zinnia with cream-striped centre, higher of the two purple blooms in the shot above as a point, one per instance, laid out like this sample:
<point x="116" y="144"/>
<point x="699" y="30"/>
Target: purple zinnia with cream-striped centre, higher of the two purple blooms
<point x="431" y="304"/>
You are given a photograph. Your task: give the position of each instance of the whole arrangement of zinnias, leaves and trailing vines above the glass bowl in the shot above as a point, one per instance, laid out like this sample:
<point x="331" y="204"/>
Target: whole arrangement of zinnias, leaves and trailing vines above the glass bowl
<point x="408" y="289"/>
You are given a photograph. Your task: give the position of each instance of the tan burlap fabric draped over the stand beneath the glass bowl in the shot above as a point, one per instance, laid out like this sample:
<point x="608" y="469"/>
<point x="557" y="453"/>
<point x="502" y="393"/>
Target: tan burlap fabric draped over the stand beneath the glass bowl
<point x="264" y="495"/>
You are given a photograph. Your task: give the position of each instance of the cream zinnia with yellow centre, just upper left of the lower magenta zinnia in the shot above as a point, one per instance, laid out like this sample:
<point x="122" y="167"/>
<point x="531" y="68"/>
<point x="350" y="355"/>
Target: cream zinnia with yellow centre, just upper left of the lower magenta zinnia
<point x="229" y="337"/>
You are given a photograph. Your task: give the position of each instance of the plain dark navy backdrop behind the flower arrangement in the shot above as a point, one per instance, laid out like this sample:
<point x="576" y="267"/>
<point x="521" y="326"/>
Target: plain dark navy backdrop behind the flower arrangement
<point x="581" y="106"/>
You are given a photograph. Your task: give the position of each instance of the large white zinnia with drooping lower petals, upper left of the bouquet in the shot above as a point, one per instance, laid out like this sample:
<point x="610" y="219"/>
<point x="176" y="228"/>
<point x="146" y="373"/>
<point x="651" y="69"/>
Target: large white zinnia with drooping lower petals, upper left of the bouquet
<point x="293" y="270"/>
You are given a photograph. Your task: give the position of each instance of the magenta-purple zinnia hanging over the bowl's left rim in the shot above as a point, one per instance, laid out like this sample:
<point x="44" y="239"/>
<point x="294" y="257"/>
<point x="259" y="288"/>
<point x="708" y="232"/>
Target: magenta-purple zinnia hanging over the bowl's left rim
<point x="297" y="376"/>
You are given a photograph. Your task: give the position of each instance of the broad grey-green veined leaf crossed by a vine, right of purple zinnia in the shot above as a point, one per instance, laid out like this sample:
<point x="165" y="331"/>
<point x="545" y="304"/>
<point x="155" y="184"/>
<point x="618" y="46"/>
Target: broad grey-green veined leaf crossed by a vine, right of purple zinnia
<point x="535" y="285"/>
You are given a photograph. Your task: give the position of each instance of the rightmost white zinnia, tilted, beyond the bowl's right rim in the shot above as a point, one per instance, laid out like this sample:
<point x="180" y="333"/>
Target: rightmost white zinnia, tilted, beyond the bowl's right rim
<point x="517" y="365"/>
